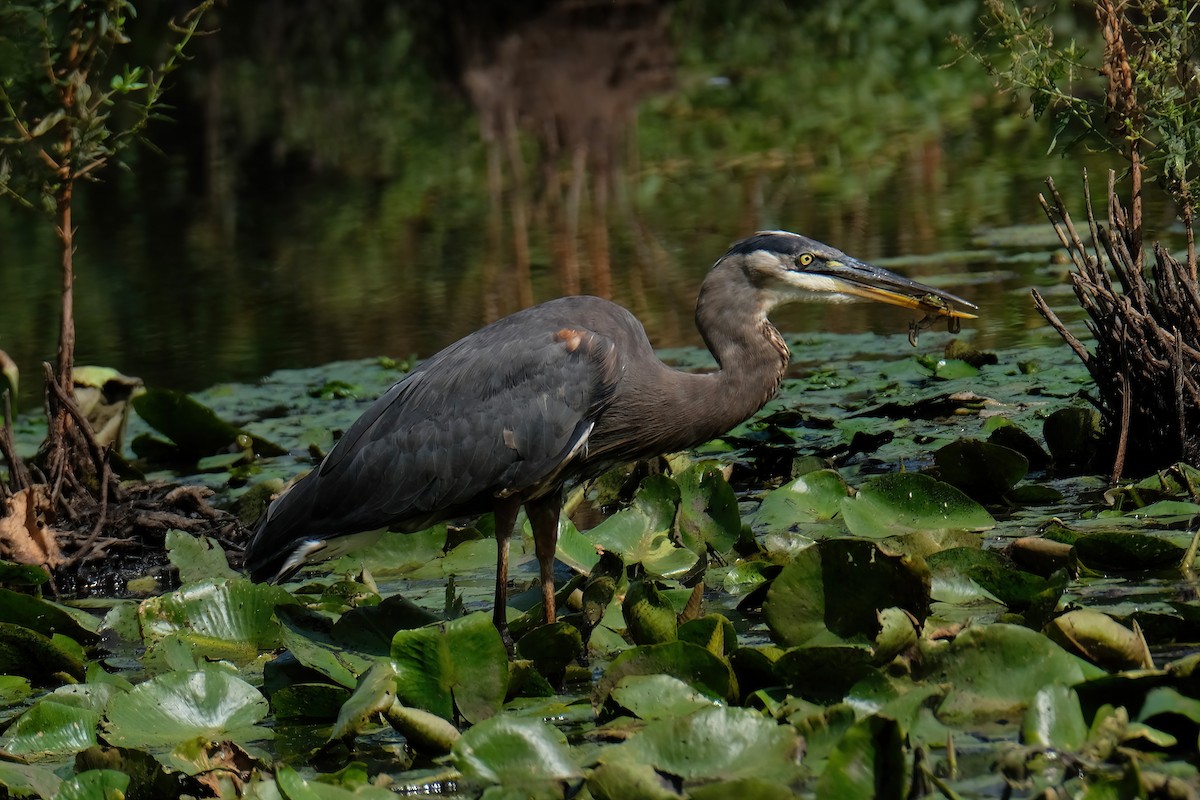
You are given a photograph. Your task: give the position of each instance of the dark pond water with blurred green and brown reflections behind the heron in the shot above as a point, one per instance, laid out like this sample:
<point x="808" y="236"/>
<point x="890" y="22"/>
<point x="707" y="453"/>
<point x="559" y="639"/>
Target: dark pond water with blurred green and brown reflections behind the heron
<point x="344" y="181"/>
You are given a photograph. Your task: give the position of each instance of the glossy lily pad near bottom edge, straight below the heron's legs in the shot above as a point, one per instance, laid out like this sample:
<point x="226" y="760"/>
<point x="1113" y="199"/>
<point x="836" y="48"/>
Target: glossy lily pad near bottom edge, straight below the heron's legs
<point x="512" y="751"/>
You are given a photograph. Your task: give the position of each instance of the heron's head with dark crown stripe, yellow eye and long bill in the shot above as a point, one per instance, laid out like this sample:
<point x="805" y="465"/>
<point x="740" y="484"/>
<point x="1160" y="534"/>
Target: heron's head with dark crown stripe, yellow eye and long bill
<point x="788" y="268"/>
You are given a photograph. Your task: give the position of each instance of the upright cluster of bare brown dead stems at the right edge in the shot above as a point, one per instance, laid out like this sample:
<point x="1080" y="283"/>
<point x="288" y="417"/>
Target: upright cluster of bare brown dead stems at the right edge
<point x="1145" y="363"/>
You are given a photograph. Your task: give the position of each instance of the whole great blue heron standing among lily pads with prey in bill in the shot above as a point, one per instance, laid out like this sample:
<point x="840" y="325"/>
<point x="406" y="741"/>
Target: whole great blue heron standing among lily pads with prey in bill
<point x="566" y="390"/>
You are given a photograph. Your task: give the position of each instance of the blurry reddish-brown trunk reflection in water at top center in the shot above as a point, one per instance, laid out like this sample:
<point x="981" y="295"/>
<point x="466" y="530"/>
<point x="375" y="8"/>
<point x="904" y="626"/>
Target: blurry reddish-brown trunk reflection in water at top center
<point x="571" y="74"/>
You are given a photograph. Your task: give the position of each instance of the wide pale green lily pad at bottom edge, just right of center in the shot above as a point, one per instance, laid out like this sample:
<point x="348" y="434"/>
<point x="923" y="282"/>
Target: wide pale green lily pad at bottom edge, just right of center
<point x="716" y="744"/>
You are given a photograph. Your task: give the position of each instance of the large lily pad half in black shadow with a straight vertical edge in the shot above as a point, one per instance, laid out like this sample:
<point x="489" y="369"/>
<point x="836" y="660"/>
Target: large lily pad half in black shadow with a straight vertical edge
<point x="808" y="604"/>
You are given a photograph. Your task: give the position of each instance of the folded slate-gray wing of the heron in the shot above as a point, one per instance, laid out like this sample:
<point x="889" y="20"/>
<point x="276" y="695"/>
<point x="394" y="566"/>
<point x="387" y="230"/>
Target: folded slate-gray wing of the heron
<point x="487" y="417"/>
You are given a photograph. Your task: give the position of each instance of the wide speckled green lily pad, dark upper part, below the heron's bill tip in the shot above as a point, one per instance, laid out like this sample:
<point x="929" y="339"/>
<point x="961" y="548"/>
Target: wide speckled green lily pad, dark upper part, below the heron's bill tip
<point x="904" y="503"/>
